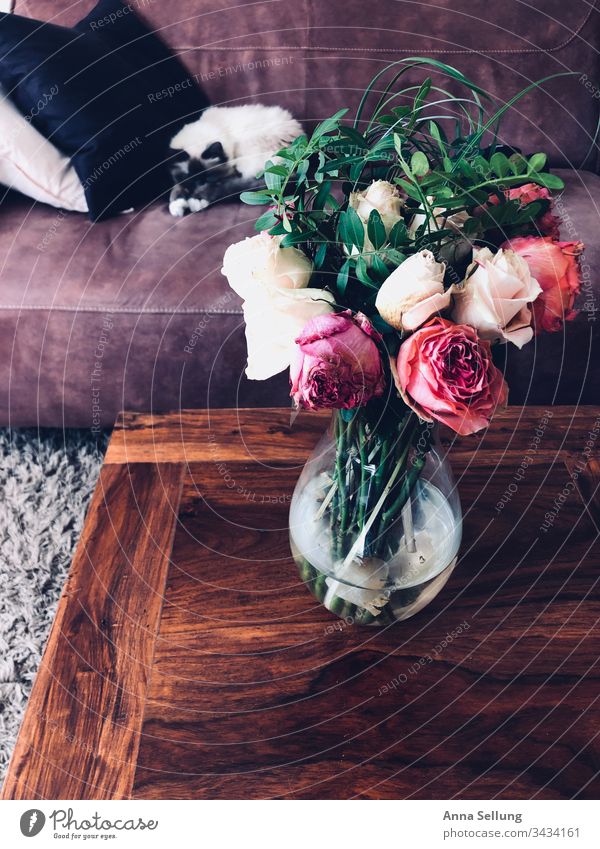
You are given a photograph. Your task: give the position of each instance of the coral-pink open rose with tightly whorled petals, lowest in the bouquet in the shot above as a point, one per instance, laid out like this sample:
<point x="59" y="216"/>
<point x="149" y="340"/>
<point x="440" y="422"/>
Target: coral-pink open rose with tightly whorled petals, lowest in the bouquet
<point x="445" y="372"/>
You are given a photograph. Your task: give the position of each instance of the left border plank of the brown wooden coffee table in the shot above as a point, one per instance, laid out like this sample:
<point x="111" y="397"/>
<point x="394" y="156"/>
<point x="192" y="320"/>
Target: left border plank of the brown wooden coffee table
<point x="81" y="732"/>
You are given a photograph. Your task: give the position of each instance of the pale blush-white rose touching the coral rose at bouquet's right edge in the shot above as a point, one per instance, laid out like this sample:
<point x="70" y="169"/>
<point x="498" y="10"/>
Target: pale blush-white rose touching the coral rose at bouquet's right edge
<point x="494" y="297"/>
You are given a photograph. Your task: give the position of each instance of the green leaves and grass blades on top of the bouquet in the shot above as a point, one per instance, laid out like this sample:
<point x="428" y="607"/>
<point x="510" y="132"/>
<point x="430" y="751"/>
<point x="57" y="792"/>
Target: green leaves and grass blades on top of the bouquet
<point x="433" y="146"/>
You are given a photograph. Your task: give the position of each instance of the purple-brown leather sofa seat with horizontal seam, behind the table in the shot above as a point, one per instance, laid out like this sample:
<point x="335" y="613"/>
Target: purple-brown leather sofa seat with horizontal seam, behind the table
<point x="134" y="313"/>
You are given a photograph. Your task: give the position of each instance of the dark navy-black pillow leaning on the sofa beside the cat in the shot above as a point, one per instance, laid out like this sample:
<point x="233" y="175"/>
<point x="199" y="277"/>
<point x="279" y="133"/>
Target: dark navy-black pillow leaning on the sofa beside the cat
<point x="108" y="93"/>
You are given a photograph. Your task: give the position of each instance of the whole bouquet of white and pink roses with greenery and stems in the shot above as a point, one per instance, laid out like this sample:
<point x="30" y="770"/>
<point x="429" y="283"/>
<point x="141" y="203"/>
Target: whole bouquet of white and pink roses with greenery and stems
<point x="395" y="250"/>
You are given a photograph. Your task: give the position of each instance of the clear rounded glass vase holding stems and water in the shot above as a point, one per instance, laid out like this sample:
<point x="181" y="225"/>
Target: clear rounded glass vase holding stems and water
<point x="375" y="519"/>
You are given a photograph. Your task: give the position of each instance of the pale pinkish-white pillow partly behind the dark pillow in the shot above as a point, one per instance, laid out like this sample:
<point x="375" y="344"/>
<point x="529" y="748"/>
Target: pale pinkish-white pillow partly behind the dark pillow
<point x="32" y="165"/>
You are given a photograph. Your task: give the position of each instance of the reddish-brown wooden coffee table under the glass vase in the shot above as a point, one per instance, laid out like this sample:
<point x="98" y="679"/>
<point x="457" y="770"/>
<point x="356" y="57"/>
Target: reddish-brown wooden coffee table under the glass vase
<point x="187" y="659"/>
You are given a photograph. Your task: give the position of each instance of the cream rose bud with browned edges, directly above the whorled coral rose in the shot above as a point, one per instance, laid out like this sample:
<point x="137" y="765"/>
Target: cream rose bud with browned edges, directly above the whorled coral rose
<point x="413" y="292"/>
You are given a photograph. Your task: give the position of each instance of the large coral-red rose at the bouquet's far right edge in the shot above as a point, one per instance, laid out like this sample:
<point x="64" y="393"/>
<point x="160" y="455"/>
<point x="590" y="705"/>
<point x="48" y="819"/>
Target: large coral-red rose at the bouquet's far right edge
<point x="555" y="266"/>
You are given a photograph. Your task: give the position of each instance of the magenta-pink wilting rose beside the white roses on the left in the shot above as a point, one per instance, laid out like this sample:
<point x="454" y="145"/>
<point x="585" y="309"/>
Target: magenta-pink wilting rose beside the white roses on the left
<point x="337" y="363"/>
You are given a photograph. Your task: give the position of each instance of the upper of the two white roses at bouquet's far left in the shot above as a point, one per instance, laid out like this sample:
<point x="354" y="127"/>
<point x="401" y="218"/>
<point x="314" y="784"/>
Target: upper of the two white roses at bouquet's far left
<point x="259" y="262"/>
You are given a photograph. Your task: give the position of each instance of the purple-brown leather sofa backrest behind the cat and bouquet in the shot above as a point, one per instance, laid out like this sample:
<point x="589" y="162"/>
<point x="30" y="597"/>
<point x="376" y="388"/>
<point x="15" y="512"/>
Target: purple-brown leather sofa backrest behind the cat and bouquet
<point x="315" y="56"/>
